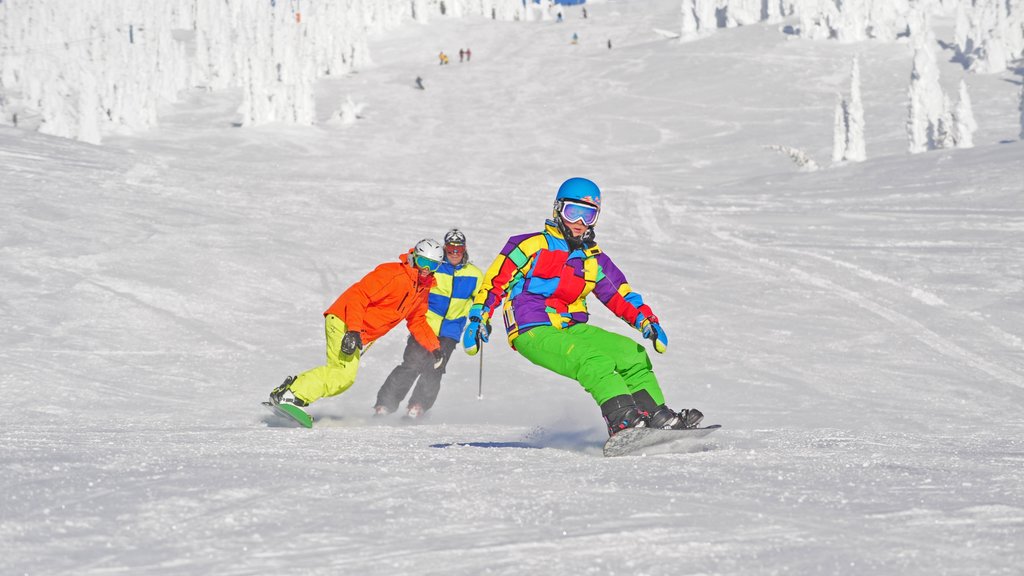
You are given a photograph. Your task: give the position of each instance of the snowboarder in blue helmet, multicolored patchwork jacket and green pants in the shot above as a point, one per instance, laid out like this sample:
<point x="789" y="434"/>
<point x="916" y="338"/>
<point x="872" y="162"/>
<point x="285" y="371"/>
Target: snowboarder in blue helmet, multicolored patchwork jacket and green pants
<point x="545" y="279"/>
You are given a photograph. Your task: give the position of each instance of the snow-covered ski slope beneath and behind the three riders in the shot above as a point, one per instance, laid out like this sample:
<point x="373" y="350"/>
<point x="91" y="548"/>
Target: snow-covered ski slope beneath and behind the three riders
<point x="857" y="331"/>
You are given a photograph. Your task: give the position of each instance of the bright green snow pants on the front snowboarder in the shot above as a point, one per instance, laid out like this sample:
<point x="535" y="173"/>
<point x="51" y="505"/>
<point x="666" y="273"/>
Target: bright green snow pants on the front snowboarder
<point x="606" y="364"/>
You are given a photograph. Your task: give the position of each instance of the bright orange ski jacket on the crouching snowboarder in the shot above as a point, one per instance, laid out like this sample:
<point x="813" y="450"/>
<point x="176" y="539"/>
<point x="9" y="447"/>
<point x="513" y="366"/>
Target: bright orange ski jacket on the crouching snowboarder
<point x="378" y="303"/>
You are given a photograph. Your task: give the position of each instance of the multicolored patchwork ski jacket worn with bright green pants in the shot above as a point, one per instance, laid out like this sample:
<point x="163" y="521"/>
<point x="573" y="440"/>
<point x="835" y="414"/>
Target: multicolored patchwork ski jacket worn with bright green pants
<point x="546" y="284"/>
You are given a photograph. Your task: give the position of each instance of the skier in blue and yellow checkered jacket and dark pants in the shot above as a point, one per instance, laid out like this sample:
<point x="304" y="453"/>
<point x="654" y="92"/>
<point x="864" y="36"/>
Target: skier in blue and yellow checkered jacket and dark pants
<point x="457" y="281"/>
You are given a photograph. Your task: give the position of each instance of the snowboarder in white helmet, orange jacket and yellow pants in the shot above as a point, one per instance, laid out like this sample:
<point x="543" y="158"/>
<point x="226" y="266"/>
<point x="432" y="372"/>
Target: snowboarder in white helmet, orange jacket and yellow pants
<point x="367" y="311"/>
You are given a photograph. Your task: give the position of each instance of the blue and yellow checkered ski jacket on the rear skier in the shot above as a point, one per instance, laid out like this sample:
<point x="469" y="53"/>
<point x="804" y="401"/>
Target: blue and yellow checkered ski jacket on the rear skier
<point x="451" y="299"/>
